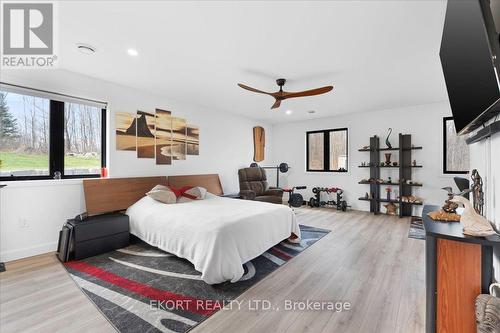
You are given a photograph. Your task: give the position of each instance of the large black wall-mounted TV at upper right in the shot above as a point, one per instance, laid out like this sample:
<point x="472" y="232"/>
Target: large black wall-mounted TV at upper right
<point x="468" y="47"/>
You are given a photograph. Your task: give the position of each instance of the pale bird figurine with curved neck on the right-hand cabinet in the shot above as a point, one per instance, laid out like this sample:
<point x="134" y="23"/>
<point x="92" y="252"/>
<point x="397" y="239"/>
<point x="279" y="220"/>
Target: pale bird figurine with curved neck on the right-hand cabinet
<point x="474" y="224"/>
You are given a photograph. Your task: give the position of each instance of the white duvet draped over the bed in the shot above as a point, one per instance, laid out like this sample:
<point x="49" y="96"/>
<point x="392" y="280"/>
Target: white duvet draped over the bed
<point x="217" y="235"/>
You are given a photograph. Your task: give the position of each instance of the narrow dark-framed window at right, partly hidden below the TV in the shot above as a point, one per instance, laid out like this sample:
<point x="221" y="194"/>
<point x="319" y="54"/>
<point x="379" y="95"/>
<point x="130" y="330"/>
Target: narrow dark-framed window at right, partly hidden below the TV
<point x="456" y="159"/>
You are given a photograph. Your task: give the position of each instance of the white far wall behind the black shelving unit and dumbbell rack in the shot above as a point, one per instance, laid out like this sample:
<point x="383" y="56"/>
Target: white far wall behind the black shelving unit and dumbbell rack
<point x="423" y="122"/>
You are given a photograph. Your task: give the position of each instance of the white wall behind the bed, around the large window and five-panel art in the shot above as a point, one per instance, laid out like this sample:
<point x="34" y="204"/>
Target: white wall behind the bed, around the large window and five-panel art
<point x="226" y="144"/>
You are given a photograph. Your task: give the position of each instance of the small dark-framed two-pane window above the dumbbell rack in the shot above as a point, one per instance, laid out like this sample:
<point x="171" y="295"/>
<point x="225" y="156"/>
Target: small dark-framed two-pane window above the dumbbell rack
<point x="327" y="150"/>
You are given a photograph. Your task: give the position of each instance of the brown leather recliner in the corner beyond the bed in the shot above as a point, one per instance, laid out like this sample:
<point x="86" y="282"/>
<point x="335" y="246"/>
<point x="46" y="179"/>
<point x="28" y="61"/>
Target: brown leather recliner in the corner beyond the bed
<point x="254" y="186"/>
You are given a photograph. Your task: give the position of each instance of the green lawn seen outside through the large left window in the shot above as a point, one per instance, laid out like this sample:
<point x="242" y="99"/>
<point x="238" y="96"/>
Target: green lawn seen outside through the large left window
<point x="16" y="161"/>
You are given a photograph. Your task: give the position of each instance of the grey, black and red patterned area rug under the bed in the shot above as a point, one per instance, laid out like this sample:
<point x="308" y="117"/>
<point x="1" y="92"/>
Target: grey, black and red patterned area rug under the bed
<point x="142" y="289"/>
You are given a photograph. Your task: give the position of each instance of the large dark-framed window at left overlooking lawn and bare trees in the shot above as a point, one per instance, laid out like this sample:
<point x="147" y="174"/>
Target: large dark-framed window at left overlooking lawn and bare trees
<point x="41" y="136"/>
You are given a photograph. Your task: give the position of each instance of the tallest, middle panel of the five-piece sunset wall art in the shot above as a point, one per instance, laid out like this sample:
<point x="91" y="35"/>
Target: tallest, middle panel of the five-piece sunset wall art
<point x="163" y="136"/>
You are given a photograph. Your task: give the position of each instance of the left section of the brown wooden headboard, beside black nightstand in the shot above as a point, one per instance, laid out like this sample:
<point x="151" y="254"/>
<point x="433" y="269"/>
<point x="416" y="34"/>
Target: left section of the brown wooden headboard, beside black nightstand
<point x="115" y="194"/>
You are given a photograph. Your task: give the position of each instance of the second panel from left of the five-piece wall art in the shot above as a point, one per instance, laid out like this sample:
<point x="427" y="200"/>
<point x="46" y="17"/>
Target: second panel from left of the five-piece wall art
<point x="145" y="127"/>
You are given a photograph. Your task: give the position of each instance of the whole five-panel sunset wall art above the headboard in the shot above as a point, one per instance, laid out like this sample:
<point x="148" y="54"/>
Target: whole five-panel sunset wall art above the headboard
<point x="156" y="135"/>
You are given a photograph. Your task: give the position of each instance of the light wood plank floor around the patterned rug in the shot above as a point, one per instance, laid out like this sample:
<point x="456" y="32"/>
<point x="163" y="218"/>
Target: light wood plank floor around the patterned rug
<point x="366" y="260"/>
